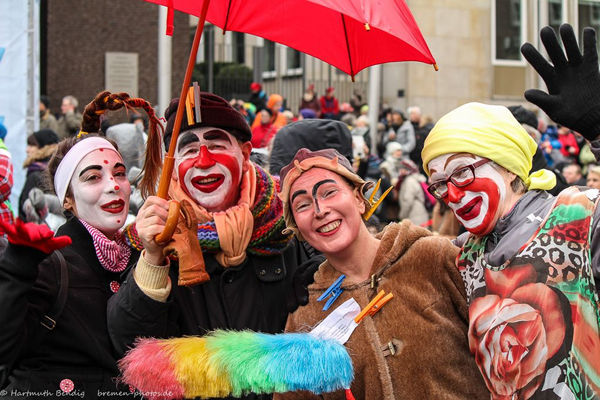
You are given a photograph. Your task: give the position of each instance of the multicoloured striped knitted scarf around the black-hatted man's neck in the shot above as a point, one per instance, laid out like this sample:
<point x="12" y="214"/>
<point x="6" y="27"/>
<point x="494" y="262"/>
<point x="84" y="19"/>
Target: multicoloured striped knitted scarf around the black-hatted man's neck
<point x="267" y="237"/>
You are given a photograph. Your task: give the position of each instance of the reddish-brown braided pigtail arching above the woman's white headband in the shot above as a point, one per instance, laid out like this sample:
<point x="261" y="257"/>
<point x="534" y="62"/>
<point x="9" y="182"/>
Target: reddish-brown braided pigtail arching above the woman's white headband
<point x="106" y="101"/>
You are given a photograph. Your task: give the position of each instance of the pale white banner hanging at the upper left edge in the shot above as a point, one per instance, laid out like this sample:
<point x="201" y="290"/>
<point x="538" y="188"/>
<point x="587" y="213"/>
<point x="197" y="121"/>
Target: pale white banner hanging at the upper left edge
<point x="19" y="80"/>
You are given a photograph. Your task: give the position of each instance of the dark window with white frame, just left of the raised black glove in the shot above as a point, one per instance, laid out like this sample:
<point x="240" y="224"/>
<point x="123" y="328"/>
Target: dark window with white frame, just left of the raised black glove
<point x="508" y="31"/>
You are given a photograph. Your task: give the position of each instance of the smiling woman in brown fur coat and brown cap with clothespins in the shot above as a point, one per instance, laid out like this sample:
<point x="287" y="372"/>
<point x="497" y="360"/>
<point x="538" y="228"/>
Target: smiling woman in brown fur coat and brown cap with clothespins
<point x="415" y="347"/>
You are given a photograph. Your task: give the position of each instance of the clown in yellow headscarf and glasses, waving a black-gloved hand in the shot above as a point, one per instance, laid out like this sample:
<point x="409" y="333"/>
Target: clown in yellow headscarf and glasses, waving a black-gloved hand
<point x="528" y="259"/>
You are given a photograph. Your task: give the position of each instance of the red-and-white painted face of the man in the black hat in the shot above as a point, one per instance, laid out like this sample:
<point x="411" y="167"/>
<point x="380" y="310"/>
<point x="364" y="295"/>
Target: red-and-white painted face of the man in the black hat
<point x="209" y="166"/>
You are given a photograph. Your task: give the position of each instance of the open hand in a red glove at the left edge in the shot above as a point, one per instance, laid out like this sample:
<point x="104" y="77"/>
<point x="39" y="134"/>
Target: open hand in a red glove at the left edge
<point x="33" y="235"/>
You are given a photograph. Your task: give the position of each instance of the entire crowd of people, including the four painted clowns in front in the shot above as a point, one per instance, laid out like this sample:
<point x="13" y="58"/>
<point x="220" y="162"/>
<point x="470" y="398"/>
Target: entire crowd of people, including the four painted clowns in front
<point x="269" y="208"/>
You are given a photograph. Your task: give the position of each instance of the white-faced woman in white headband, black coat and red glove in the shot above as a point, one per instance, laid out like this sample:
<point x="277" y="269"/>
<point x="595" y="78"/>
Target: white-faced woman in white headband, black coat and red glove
<point x="54" y="336"/>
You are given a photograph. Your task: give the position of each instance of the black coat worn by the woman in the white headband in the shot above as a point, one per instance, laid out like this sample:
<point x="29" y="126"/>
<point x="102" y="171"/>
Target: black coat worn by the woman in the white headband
<point x="79" y="347"/>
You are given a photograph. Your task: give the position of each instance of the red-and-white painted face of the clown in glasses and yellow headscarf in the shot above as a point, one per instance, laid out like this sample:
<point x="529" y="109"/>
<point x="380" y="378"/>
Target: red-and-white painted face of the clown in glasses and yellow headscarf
<point x="476" y="205"/>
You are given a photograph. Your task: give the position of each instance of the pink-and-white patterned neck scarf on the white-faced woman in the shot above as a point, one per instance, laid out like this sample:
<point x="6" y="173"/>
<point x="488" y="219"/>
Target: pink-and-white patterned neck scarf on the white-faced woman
<point x="112" y="254"/>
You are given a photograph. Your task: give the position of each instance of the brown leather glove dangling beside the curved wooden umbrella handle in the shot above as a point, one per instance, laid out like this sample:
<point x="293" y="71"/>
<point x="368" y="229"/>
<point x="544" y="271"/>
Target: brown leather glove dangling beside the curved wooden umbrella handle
<point x="185" y="245"/>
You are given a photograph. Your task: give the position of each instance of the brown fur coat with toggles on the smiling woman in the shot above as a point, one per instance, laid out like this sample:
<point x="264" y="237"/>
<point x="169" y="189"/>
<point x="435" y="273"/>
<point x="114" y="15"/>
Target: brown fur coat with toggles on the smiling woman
<point x="425" y="323"/>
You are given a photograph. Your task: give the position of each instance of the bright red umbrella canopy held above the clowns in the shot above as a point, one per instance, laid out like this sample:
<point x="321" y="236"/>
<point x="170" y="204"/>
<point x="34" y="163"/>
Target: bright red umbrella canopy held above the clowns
<point x="348" y="34"/>
